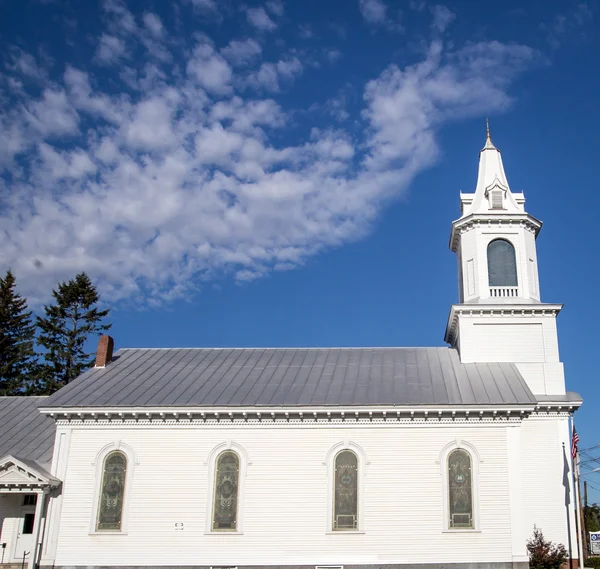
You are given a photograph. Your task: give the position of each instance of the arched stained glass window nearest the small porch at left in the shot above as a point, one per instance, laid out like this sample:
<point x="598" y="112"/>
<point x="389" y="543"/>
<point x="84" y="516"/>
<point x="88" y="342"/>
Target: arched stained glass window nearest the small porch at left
<point x="112" y="491"/>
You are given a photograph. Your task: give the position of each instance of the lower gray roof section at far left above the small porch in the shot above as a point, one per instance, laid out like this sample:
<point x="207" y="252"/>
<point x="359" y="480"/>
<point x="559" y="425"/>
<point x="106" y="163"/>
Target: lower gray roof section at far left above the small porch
<point x="24" y="432"/>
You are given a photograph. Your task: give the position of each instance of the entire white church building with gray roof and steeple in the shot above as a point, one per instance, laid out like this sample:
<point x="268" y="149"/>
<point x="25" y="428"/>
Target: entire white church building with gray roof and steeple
<point x="313" y="457"/>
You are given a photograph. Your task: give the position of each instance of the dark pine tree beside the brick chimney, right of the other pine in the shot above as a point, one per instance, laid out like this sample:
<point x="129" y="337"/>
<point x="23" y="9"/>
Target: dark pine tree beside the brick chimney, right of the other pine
<point x="68" y="324"/>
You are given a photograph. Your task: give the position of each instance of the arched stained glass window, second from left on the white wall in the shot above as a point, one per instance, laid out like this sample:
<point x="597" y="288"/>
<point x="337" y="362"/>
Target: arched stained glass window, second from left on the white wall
<point x="226" y="491"/>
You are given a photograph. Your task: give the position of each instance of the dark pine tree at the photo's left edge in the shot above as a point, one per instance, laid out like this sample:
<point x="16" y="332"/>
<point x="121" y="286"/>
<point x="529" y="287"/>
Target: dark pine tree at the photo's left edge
<point x="17" y="333"/>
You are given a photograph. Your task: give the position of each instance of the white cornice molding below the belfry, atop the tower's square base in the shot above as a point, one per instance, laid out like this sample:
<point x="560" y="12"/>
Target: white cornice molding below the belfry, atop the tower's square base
<point x="496" y="310"/>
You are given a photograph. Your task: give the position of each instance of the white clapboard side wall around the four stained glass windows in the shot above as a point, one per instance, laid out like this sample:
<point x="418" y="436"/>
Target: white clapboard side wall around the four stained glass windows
<point x="286" y="493"/>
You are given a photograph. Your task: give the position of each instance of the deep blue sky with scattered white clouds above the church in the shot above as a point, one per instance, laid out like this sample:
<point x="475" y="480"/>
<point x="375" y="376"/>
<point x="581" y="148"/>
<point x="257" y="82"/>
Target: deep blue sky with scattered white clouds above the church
<point x="285" y="173"/>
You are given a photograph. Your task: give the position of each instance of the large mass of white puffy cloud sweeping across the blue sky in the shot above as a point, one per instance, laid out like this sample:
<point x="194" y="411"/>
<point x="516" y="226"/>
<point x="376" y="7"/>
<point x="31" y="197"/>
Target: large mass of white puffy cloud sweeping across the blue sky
<point x="182" y="177"/>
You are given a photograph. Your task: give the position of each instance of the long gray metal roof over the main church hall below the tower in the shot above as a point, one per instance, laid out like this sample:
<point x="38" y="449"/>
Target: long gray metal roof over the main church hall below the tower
<point x="295" y="377"/>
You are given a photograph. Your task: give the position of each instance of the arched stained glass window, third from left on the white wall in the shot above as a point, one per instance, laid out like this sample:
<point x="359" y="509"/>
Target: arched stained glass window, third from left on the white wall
<point x="345" y="495"/>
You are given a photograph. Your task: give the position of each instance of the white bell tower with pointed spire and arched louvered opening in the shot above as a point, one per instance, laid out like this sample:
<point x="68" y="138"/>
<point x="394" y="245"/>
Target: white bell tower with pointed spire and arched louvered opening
<point x="500" y="316"/>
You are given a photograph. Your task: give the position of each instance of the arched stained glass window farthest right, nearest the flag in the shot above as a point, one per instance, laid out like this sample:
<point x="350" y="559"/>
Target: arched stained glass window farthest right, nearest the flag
<point x="460" y="489"/>
